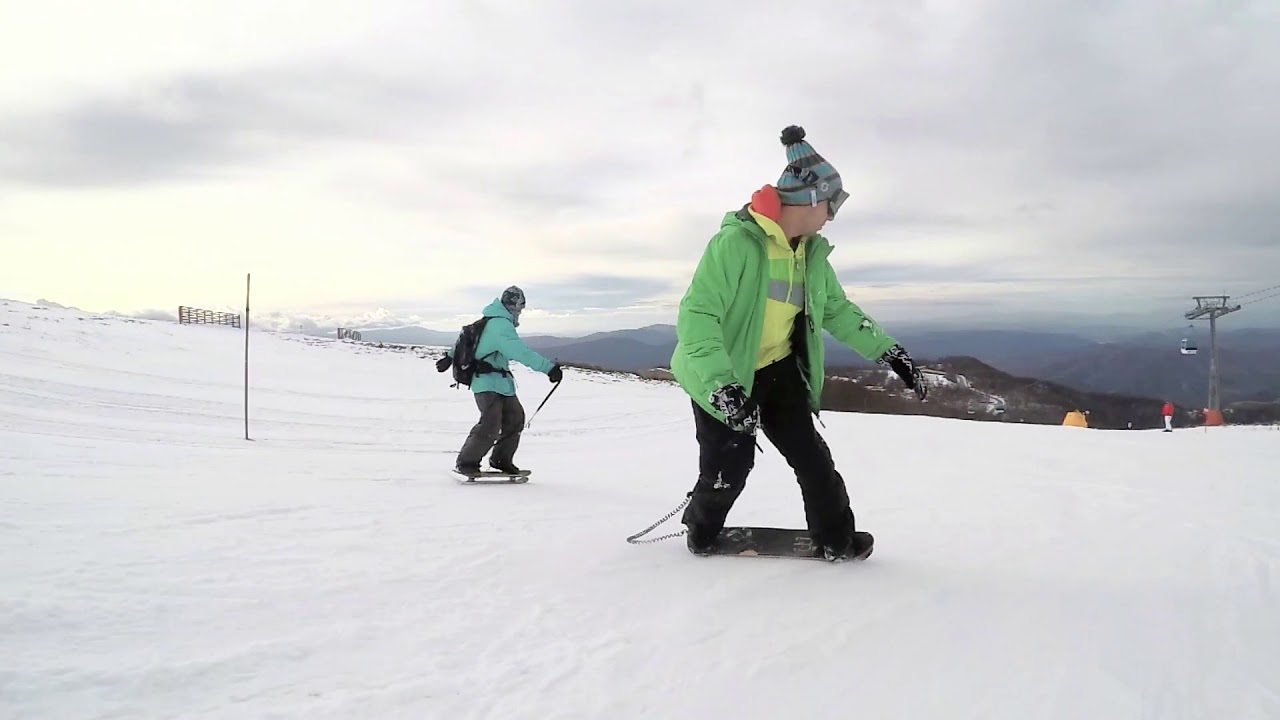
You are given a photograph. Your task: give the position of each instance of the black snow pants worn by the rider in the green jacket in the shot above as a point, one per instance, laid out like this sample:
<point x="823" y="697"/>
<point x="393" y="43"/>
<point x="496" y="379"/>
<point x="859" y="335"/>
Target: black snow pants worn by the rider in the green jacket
<point x="726" y="459"/>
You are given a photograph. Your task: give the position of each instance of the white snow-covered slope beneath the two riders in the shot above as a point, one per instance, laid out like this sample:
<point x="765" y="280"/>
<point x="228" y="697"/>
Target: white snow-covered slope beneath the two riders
<point x="156" y="564"/>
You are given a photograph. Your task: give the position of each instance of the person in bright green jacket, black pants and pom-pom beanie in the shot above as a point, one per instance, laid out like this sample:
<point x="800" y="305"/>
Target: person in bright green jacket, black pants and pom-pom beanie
<point x="751" y="354"/>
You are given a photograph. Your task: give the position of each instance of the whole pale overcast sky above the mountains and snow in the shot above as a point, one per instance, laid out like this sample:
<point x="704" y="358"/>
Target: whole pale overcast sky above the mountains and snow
<point x="408" y="161"/>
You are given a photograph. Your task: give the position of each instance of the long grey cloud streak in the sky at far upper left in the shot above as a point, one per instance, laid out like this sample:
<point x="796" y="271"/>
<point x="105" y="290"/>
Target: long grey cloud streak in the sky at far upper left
<point x="200" y="125"/>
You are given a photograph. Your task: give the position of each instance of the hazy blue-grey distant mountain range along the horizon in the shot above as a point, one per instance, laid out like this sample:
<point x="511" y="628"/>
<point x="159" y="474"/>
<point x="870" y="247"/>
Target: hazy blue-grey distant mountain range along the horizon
<point x="1146" y="364"/>
